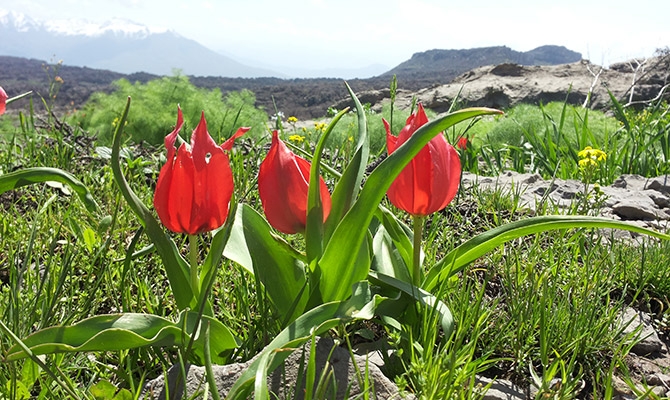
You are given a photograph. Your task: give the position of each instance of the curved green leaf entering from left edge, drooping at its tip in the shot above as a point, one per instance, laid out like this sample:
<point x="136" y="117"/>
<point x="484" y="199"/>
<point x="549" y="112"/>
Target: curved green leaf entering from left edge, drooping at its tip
<point x="29" y="176"/>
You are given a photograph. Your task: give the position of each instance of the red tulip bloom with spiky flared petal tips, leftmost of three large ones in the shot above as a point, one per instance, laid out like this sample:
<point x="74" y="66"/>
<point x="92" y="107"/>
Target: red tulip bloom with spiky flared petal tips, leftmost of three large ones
<point x="195" y="186"/>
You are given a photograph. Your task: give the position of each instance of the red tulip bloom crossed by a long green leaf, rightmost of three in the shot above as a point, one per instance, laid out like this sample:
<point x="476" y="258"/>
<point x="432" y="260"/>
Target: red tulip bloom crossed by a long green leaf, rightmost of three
<point x="430" y="181"/>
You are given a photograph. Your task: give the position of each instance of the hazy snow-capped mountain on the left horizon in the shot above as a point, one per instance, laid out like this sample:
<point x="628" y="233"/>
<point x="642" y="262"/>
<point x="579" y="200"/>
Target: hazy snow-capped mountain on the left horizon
<point x="117" y="45"/>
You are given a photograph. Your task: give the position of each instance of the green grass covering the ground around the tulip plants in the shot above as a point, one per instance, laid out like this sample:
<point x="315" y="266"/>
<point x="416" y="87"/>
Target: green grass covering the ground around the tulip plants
<point x="540" y="308"/>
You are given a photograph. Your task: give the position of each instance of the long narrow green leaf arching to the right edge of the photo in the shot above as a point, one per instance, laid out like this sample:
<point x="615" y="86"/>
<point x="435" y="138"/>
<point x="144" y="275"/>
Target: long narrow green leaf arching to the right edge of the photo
<point x="481" y="244"/>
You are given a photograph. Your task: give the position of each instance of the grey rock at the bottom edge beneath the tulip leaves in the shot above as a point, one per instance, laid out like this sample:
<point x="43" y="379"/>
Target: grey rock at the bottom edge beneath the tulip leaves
<point x="283" y="383"/>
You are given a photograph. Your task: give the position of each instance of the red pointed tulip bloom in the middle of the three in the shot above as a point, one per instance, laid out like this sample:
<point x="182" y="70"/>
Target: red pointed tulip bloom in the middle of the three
<point x="283" y="184"/>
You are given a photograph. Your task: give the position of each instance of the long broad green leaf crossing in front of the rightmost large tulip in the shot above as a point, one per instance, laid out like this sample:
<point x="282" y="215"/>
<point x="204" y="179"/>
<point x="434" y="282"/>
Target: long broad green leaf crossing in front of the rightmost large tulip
<point x="337" y="264"/>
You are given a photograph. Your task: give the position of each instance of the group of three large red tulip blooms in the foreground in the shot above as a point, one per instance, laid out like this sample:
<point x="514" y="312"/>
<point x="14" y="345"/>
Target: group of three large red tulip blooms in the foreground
<point x="195" y="185"/>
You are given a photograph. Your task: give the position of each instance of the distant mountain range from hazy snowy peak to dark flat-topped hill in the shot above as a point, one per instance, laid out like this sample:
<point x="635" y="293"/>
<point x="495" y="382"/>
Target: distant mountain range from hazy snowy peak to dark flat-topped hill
<point x="126" y="47"/>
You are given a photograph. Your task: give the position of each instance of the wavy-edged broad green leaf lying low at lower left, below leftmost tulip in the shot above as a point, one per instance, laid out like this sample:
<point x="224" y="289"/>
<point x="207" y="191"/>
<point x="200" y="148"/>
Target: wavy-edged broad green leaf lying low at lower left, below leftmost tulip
<point x="113" y="332"/>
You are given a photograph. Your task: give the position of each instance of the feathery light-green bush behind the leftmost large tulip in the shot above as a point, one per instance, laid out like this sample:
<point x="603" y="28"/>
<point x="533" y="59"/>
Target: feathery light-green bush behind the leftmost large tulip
<point x="154" y="110"/>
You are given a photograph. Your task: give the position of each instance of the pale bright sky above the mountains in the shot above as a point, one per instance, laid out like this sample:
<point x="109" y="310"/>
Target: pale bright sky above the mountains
<point x="320" y="34"/>
